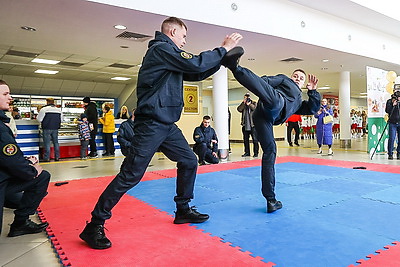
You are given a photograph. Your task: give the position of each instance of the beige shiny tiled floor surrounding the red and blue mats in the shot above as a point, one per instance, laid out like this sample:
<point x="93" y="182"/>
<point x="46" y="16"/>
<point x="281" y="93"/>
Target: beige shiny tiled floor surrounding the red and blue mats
<point x="35" y="250"/>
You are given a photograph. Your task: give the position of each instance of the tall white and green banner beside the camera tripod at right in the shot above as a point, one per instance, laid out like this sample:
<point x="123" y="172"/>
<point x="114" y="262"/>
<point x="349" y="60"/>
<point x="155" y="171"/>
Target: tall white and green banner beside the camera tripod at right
<point x="376" y="102"/>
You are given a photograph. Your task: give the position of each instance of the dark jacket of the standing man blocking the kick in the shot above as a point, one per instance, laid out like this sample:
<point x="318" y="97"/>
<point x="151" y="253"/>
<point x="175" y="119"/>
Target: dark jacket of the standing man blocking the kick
<point x="160" y="80"/>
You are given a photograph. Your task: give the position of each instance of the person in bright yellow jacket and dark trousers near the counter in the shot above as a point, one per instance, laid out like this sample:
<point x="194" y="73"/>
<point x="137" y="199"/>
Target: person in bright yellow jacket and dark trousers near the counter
<point x="108" y="130"/>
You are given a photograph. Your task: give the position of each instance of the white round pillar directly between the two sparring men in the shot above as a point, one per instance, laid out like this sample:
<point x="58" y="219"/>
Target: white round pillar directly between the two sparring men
<point x="220" y="107"/>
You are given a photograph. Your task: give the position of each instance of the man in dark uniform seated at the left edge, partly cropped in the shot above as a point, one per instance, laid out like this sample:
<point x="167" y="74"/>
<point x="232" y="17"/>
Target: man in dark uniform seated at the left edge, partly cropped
<point x="19" y="174"/>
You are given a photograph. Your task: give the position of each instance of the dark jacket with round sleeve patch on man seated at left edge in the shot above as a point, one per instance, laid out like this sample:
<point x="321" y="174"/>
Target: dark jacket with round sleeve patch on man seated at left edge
<point x="13" y="164"/>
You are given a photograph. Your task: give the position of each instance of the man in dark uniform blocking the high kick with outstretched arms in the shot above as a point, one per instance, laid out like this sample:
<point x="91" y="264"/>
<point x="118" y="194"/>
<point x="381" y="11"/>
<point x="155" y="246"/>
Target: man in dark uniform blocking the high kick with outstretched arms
<point x="159" y="106"/>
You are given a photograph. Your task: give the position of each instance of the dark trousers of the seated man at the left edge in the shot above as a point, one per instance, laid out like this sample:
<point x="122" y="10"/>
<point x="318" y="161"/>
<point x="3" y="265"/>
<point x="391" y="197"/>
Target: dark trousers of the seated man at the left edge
<point x="33" y="193"/>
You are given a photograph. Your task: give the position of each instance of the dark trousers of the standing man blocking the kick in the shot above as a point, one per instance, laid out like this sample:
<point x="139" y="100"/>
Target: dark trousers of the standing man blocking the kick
<point x="149" y="137"/>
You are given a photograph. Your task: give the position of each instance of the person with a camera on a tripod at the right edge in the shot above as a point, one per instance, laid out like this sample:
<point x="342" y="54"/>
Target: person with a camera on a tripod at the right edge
<point x="392" y="108"/>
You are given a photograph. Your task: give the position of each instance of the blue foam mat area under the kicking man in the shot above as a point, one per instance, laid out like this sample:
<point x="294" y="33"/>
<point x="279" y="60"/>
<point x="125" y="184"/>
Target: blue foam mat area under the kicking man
<point x="332" y="216"/>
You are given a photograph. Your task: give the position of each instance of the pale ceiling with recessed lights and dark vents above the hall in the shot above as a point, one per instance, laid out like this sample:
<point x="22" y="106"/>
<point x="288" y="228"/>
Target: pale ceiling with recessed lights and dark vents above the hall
<point x="82" y="32"/>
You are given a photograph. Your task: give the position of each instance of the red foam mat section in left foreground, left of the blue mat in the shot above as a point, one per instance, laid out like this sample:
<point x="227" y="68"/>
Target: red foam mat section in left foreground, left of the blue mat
<point x="141" y="234"/>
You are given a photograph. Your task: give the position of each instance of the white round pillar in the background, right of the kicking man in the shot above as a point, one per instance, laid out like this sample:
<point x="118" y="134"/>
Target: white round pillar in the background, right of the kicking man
<point x="344" y="109"/>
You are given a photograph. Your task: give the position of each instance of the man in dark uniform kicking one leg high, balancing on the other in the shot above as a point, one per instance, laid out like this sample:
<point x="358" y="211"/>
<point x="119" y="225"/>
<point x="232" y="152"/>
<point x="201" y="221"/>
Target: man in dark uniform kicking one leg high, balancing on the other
<point x="279" y="98"/>
